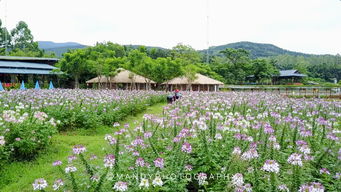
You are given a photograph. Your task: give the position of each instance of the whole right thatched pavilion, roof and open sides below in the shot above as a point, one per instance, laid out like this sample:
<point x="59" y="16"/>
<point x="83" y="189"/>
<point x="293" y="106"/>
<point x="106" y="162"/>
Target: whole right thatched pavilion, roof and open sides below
<point x="201" y="83"/>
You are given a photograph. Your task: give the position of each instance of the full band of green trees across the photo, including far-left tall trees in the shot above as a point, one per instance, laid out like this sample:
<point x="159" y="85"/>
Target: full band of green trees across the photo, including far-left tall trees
<point x="231" y="66"/>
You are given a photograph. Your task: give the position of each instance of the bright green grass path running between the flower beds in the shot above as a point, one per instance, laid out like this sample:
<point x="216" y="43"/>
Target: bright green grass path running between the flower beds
<point x="19" y="176"/>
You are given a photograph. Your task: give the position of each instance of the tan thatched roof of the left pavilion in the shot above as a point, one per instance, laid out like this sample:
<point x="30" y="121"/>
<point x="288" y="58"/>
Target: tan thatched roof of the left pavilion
<point x="121" y="77"/>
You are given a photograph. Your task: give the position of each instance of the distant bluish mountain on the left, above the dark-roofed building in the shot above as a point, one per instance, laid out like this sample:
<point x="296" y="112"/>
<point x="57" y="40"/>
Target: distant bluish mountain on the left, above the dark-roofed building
<point x="59" y="48"/>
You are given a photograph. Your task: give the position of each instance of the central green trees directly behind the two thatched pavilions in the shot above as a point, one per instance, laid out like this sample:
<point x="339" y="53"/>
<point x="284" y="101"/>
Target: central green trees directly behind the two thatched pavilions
<point x="161" y="65"/>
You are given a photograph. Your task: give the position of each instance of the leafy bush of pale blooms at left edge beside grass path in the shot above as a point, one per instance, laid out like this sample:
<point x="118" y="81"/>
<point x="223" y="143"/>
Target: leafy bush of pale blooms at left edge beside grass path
<point x="23" y="135"/>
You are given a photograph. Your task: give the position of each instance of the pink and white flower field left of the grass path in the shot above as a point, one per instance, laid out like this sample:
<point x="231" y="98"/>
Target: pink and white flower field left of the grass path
<point x="28" y="119"/>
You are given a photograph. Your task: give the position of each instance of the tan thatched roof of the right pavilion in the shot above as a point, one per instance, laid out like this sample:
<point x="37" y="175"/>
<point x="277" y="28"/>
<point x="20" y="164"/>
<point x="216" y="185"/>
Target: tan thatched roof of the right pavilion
<point x="200" y="80"/>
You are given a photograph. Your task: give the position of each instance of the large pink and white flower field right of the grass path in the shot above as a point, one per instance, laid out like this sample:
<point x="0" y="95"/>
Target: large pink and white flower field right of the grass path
<point x="215" y="142"/>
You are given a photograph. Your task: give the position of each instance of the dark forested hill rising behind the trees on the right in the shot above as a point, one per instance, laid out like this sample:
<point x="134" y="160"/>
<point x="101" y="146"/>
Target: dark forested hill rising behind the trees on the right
<point x="256" y="49"/>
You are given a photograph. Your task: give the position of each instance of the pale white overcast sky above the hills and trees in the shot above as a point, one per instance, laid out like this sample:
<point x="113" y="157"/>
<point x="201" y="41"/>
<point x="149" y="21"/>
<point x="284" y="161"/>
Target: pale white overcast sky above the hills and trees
<point x="308" y="26"/>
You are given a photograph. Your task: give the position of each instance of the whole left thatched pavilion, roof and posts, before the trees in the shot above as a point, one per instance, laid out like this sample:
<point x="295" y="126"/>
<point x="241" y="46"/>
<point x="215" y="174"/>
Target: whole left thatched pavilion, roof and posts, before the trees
<point x="124" y="79"/>
